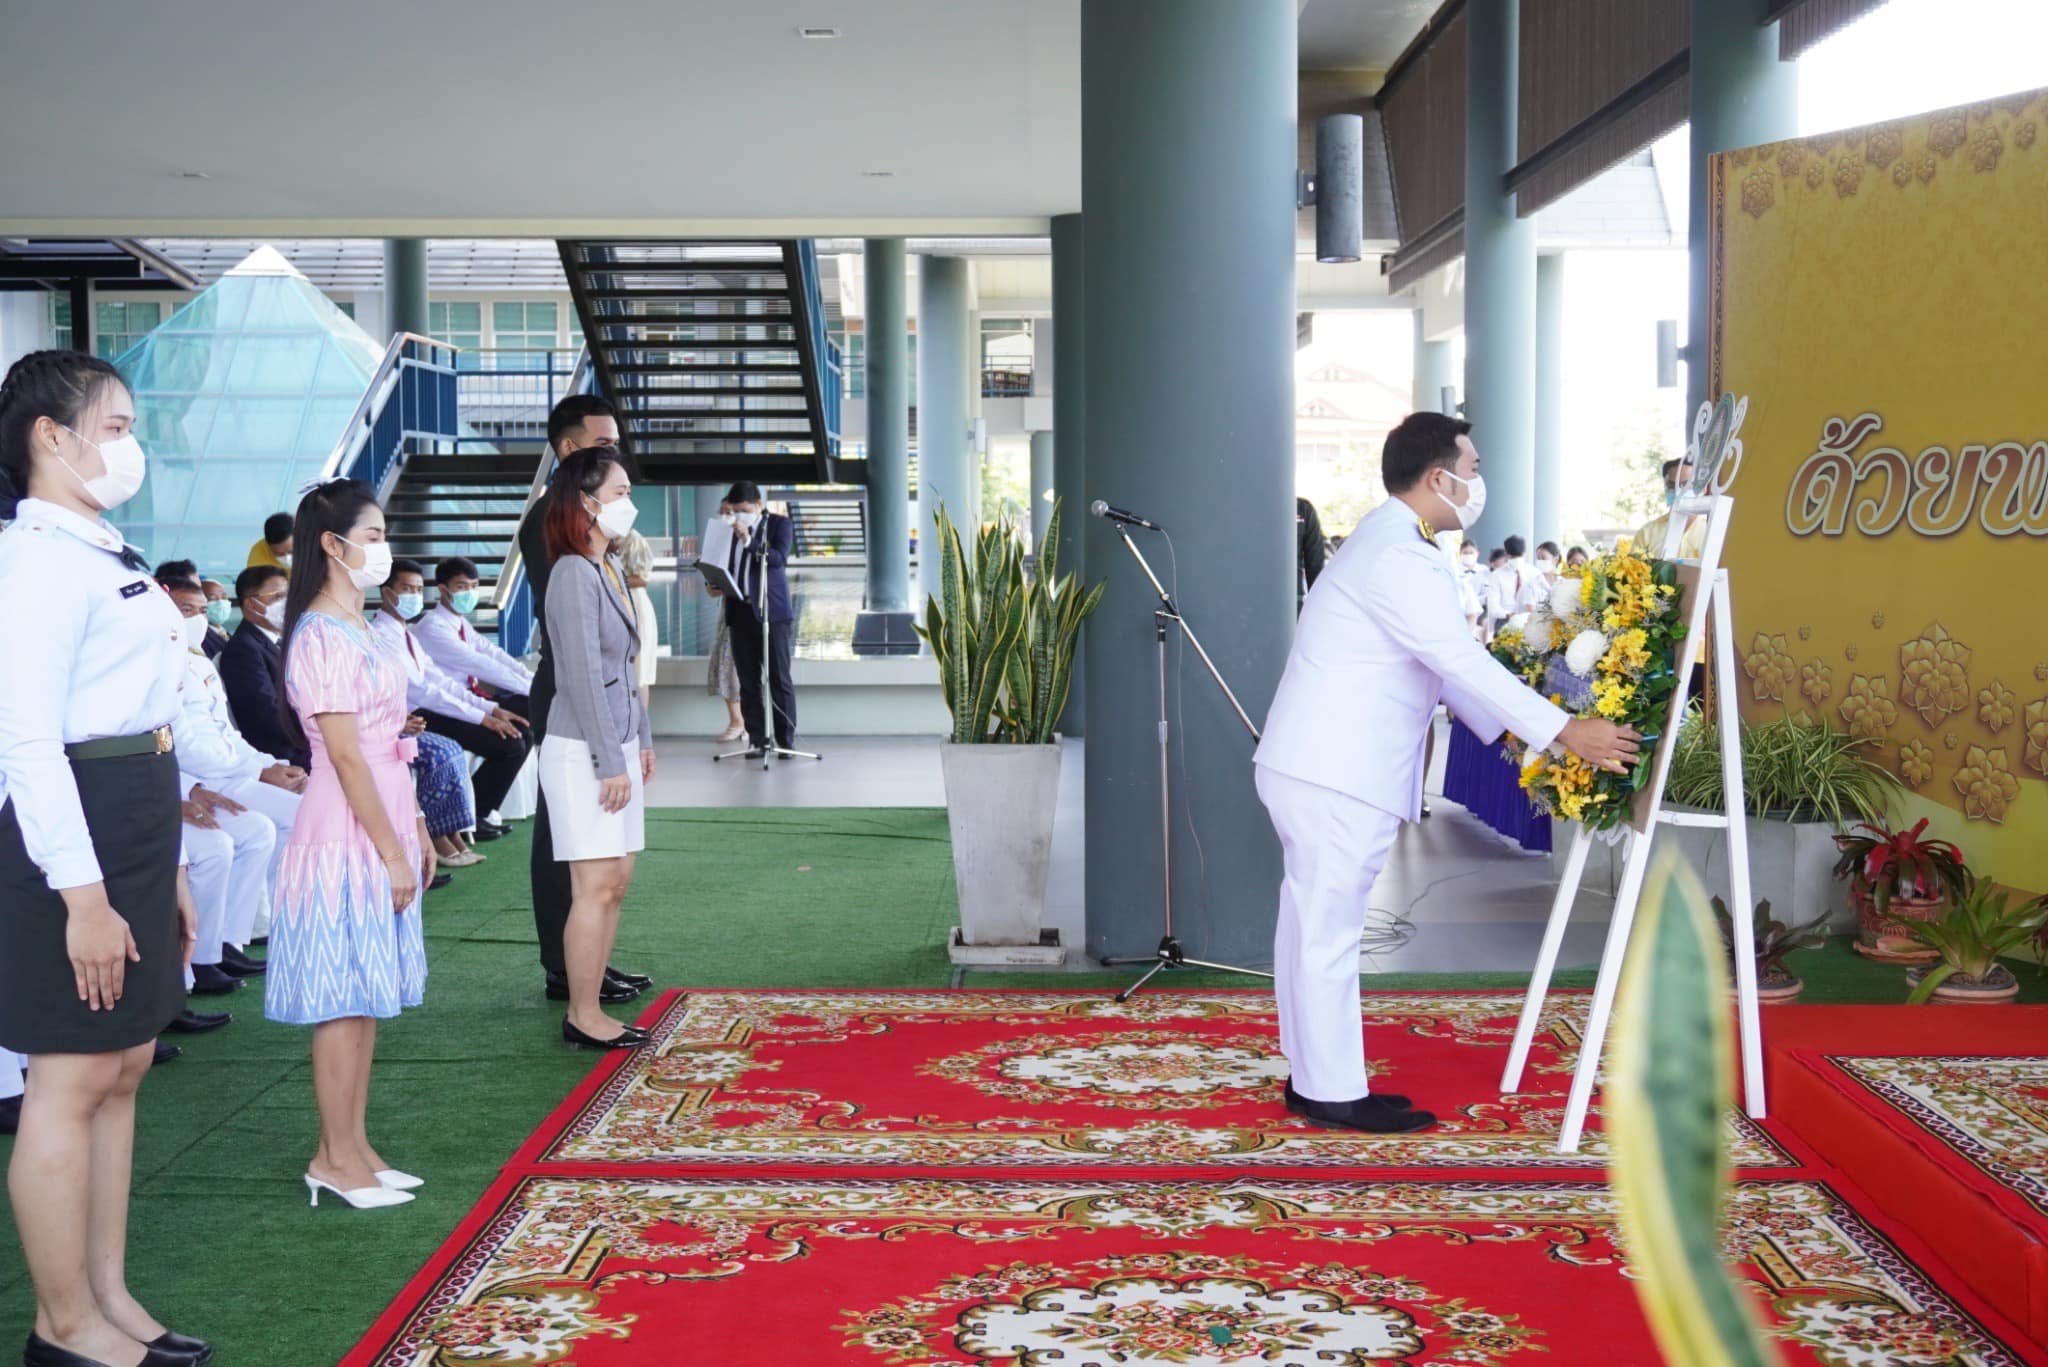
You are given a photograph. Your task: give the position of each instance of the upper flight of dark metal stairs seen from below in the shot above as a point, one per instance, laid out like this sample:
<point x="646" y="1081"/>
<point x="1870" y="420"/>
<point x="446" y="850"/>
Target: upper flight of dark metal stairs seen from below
<point x="716" y="356"/>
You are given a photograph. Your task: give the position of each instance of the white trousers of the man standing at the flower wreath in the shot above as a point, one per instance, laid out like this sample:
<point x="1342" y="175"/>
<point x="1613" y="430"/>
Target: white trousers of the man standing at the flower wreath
<point x="1334" y="850"/>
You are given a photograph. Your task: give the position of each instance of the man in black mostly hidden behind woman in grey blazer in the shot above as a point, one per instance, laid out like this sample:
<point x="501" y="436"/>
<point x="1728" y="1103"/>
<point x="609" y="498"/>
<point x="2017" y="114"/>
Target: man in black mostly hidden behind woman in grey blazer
<point x="579" y="421"/>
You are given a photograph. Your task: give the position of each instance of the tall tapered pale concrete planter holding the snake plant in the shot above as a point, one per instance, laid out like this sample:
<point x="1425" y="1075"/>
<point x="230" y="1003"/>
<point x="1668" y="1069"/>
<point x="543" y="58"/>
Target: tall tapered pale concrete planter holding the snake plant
<point x="1000" y="809"/>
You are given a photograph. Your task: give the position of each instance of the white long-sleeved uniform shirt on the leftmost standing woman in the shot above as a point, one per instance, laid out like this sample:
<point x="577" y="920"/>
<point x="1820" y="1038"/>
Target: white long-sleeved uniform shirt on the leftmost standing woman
<point x="95" y="649"/>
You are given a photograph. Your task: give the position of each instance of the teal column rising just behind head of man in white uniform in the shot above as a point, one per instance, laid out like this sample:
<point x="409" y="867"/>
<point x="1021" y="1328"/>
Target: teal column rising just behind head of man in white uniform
<point x="1500" y="276"/>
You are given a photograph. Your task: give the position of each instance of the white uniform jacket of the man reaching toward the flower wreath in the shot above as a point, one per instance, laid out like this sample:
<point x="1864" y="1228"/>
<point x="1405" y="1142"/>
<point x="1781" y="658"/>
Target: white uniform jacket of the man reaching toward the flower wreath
<point x="1381" y="643"/>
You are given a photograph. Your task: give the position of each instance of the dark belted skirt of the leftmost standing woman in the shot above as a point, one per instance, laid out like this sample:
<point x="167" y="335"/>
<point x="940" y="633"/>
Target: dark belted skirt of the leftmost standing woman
<point x="132" y="809"/>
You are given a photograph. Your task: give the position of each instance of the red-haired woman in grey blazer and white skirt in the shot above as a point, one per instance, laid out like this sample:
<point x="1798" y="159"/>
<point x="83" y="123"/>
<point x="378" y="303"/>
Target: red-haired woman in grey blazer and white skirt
<point x="599" y="749"/>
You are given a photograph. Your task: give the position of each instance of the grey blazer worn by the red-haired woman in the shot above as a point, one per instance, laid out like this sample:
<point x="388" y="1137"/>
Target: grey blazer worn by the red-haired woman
<point x="593" y="638"/>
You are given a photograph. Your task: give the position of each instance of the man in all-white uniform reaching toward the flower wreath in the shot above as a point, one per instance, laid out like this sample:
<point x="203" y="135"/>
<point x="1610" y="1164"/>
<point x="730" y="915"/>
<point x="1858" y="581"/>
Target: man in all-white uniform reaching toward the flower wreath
<point x="1381" y="643"/>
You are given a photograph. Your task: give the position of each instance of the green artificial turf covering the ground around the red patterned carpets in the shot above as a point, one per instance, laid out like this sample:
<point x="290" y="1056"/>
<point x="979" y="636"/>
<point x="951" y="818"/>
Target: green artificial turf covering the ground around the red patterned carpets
<point x="224" y="1243"/>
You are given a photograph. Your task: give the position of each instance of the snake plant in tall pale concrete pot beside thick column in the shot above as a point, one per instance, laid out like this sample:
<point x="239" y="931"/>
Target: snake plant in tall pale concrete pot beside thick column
<point x="1005" y="643"/>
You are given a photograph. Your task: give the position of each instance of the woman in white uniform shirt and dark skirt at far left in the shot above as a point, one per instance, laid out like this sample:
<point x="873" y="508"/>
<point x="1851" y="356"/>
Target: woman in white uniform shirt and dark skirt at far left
<point x="95" y="911"/>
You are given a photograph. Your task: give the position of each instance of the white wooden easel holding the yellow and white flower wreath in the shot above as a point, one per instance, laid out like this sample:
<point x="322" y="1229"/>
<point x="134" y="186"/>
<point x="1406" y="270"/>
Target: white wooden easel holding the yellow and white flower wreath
<point x="1711" y="591"/>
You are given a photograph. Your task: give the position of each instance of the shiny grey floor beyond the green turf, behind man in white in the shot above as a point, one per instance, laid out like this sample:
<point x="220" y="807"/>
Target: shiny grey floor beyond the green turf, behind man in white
<point x="1453" y="899"/>
